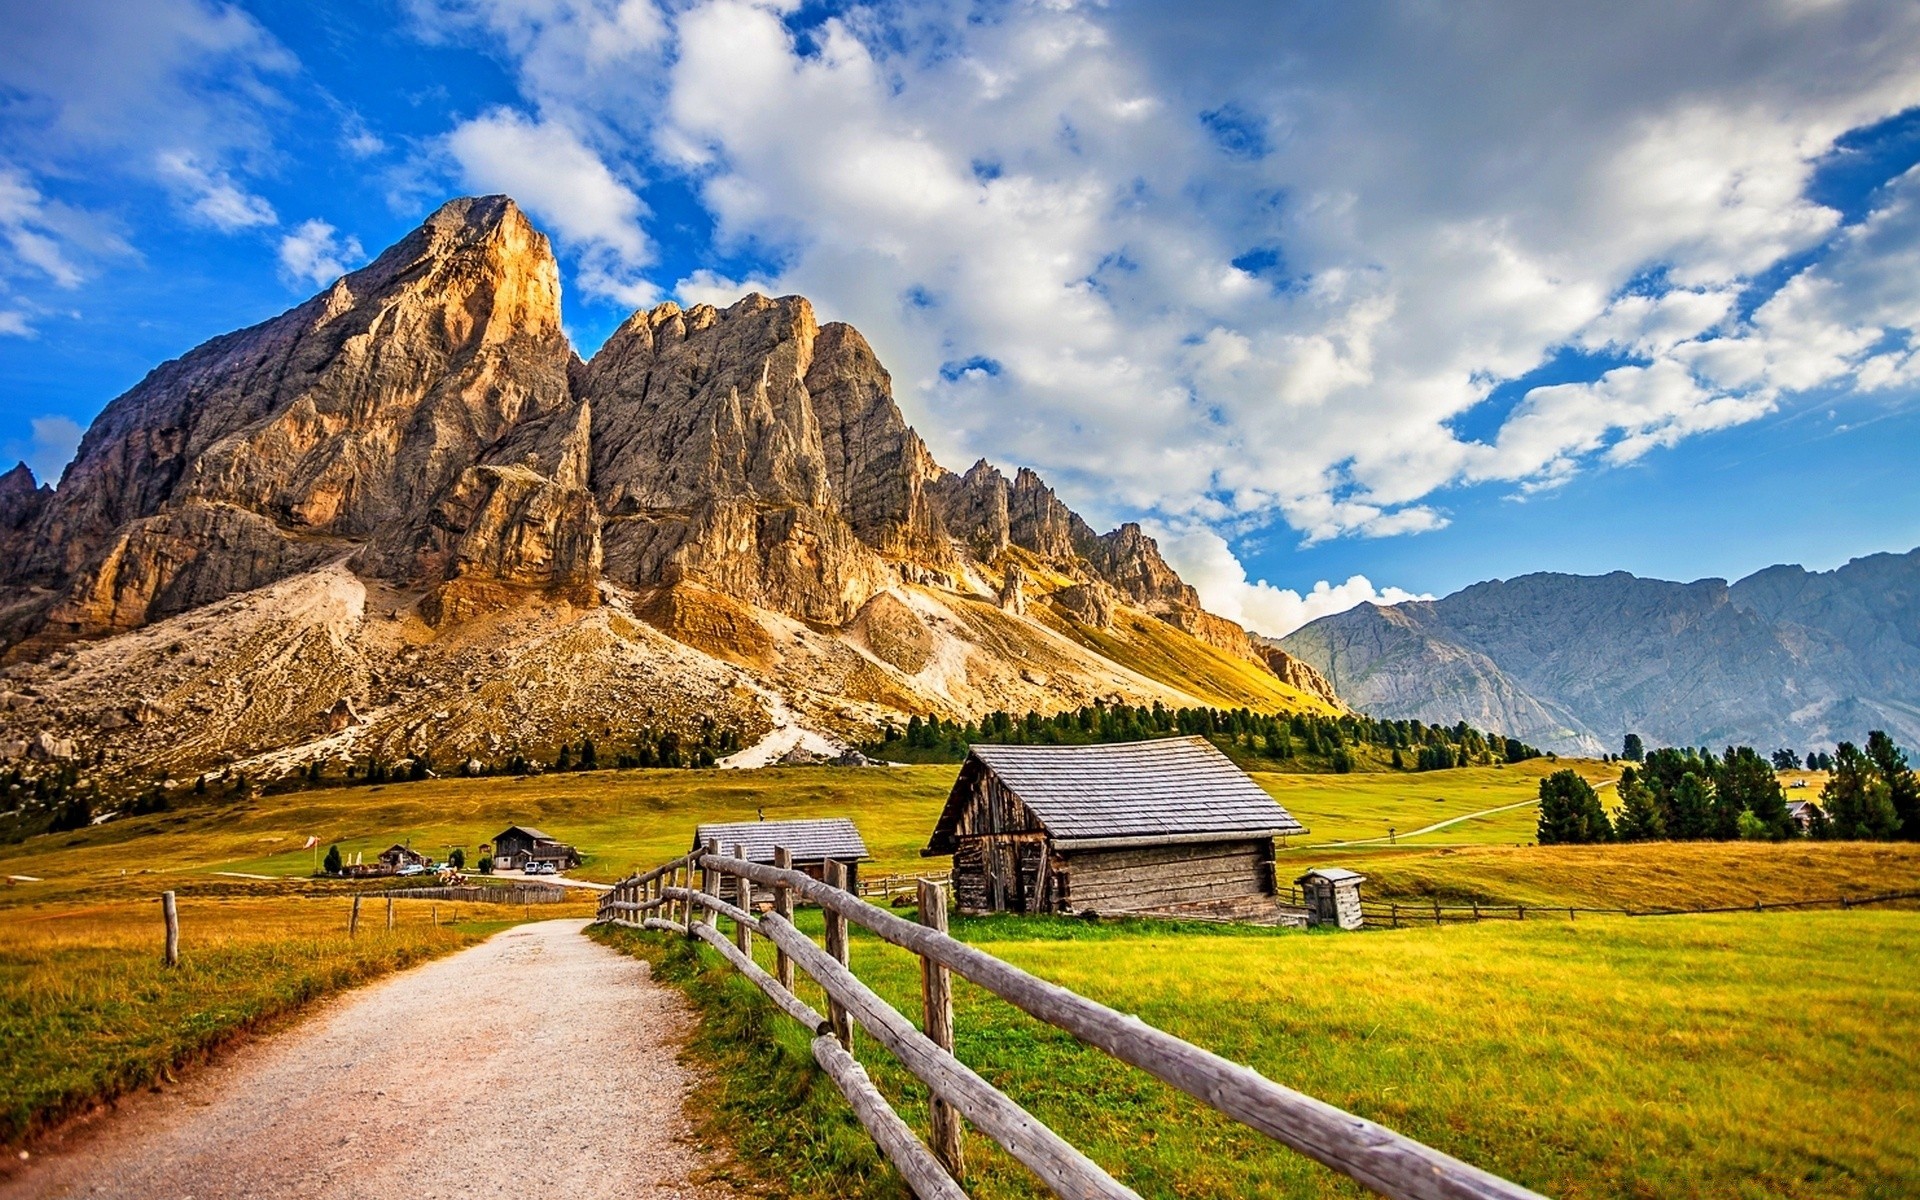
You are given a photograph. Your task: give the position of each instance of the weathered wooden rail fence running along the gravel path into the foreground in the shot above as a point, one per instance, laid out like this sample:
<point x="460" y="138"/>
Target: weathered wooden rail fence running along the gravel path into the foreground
<point x="684" y="898"/>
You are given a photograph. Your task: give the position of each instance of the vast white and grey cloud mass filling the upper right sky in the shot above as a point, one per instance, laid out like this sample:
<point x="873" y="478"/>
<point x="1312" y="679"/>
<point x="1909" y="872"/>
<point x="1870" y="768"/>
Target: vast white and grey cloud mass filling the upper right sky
<point x="1243" y="262"/>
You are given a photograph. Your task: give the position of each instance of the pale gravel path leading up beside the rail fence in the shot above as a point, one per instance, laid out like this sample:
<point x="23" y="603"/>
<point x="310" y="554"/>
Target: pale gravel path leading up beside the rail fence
<point x="492" y="1072"/>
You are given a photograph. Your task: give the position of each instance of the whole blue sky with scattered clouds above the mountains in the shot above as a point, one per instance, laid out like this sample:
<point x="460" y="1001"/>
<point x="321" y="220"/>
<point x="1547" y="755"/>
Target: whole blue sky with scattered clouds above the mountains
<point x="1341" y="302"/>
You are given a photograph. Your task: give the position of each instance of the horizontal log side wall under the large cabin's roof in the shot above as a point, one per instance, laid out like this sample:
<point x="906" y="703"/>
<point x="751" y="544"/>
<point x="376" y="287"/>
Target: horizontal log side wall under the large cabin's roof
<point x="1140" y="878"/>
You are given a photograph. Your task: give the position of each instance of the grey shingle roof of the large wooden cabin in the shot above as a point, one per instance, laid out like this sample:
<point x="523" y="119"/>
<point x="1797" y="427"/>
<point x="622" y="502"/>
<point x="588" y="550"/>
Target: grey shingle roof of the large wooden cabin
<point x="1164" y="788"/>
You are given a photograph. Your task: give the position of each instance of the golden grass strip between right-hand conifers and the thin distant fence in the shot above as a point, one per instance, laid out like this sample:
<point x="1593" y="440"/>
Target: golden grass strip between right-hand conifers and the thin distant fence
<point x="1662" y="875"/>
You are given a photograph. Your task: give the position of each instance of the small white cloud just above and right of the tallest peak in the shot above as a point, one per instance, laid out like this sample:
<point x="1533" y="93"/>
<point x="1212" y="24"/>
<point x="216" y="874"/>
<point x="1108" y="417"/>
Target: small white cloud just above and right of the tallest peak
<point x="558" y="178"/>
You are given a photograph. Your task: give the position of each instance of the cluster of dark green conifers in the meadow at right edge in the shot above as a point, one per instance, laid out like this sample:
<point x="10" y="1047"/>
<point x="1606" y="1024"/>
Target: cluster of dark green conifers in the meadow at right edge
<point x="1692" y="796"/>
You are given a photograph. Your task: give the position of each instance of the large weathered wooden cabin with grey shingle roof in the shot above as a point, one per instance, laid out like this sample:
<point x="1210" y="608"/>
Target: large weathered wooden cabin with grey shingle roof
<point x="1141" y="827"/>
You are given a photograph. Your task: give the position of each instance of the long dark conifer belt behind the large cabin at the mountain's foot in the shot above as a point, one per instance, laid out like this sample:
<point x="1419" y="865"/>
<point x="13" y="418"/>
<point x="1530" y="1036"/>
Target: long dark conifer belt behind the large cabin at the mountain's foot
<point x="1332" y="740"/>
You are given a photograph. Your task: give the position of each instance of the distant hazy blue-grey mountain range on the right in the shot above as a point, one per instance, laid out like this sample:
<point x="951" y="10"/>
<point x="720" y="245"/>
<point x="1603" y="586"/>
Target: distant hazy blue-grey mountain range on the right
<point x="1785" y="658"/>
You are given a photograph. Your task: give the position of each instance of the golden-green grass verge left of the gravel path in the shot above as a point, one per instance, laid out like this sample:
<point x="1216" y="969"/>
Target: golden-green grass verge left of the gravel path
<point x="87" y="1011"/>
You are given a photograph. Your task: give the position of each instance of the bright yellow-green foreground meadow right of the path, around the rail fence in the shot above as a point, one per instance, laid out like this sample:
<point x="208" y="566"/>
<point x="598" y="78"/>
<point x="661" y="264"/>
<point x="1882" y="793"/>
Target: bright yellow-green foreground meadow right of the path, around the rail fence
<point x="1744" y="1055"/>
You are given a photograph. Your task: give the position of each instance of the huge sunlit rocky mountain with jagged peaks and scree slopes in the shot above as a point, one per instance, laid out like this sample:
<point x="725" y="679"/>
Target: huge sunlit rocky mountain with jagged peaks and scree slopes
<point x="408" y="519"/>
